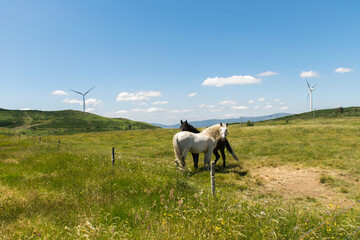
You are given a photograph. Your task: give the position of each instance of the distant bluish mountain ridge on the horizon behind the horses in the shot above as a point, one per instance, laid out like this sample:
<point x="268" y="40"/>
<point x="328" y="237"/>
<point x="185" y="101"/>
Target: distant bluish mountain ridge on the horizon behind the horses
<point x="210" y="122"/>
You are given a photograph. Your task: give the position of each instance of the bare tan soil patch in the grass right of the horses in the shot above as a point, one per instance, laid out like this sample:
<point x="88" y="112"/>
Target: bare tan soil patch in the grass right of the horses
<point x="302" y="182"/>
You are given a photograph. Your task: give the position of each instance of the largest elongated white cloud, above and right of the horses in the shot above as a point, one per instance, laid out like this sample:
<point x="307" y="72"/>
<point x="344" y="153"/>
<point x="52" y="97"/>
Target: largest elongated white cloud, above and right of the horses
<point x="234" y="80"/>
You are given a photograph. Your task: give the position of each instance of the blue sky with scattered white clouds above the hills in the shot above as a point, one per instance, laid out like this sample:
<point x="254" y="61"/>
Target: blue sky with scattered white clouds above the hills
<point x="162" y="61"/>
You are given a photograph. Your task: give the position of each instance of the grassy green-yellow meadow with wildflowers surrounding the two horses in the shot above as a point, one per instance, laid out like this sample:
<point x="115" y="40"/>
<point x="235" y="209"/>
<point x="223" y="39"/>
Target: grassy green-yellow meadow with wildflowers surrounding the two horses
<point x="74" y="192"/>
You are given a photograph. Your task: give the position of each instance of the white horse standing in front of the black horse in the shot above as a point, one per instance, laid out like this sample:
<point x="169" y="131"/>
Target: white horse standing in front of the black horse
<point x="203" y="142"/>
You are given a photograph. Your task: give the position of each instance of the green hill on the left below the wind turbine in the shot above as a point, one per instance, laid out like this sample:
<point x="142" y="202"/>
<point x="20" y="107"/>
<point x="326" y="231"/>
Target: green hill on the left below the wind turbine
<point x="62" y="122"/>
